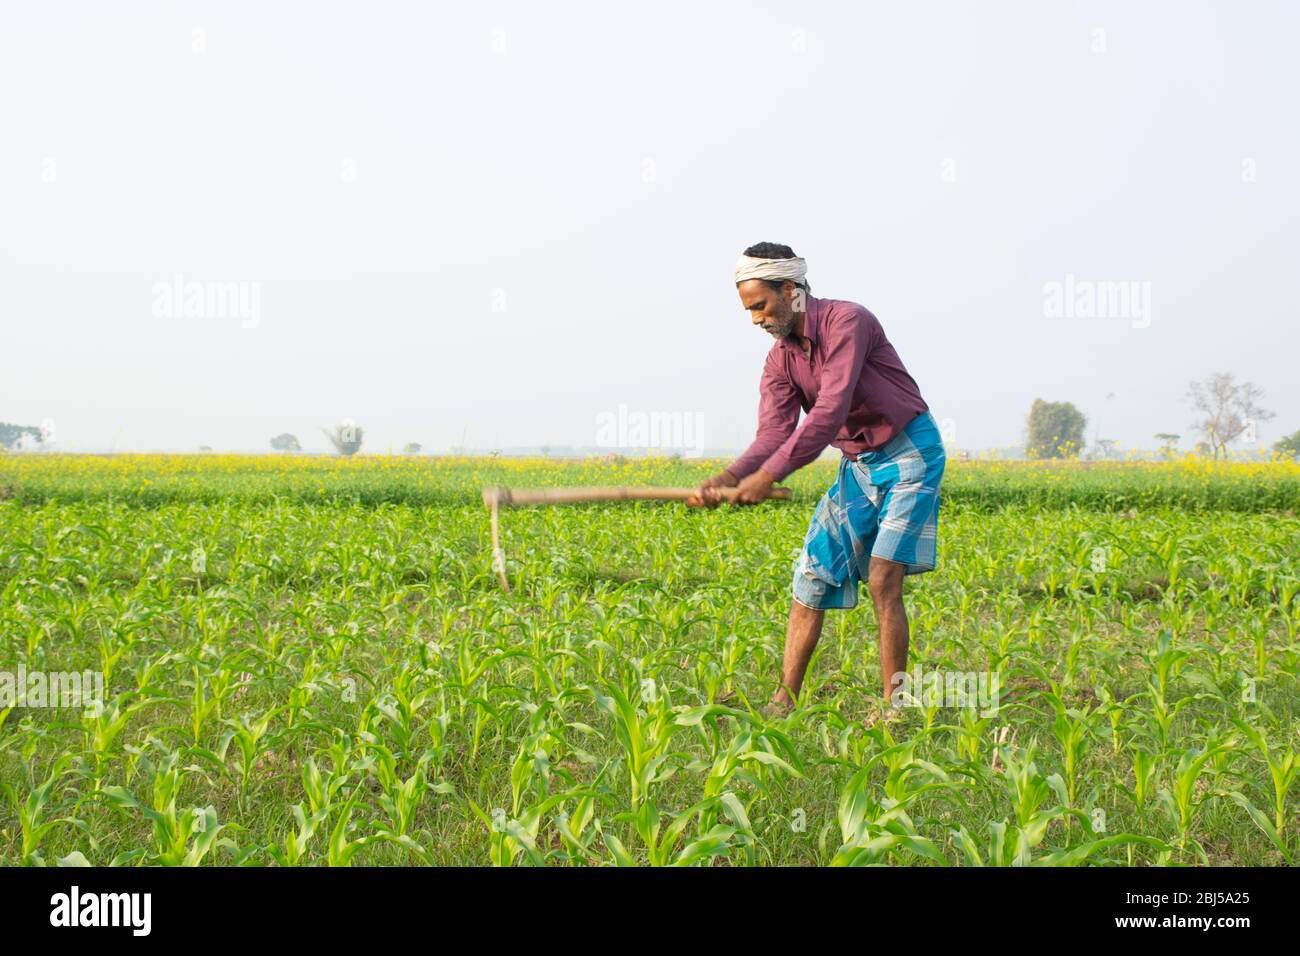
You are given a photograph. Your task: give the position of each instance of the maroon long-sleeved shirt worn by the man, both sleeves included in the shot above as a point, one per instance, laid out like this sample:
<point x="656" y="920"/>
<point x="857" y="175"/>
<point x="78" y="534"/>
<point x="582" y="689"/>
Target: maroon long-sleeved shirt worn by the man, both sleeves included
<point x="855" y="390"/>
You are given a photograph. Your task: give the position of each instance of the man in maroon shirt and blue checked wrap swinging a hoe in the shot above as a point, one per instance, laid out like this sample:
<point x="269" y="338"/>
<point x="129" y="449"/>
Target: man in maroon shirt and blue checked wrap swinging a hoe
<point x="878" y="522"/>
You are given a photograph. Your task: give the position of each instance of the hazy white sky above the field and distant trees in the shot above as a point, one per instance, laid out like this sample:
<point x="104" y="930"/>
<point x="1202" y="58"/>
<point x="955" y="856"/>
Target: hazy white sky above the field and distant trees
<point x="496" y="222"/>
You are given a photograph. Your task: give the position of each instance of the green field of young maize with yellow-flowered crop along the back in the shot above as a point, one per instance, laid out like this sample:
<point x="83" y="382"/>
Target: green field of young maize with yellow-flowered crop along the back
<point x="310" y="661"/>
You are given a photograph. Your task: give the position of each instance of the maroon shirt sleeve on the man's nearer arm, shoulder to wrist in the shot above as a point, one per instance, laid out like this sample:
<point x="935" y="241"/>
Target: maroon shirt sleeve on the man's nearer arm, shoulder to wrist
<point x="848" y="339"/>
